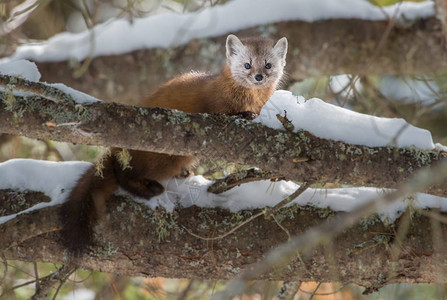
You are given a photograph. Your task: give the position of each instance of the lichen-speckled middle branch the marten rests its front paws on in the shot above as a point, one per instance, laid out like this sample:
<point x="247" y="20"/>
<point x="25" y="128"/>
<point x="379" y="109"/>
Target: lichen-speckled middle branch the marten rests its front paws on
<point x="300" y="156"/>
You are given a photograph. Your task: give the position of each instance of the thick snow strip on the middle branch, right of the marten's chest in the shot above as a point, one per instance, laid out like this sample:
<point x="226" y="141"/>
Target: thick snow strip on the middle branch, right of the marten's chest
<point x="328" y="121"/>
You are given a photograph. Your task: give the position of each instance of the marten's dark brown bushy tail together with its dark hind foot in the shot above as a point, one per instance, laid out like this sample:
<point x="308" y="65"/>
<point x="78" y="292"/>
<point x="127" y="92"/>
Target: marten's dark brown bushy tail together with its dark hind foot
<point x="87" y="201"/>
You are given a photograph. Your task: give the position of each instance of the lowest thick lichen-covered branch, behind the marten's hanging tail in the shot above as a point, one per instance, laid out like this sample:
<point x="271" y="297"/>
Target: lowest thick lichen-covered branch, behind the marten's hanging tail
<point x="132" y="240"/>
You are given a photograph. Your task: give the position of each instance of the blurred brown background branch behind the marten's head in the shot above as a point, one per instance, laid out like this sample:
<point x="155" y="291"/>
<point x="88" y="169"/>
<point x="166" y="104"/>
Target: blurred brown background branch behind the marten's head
<point x="323" y="48"/>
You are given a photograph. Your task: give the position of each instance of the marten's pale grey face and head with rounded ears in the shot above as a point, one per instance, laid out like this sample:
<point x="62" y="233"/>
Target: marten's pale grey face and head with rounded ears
<point x="258" y="62"/>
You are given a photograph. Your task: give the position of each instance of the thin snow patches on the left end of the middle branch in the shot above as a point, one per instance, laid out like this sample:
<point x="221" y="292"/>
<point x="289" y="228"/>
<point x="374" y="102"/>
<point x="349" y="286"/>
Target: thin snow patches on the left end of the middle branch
<point x="28" y="70"/>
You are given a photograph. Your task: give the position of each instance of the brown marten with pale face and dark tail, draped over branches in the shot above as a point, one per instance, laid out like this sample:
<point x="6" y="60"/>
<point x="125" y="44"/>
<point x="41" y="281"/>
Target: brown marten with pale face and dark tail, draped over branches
<point x="254" y="68"/>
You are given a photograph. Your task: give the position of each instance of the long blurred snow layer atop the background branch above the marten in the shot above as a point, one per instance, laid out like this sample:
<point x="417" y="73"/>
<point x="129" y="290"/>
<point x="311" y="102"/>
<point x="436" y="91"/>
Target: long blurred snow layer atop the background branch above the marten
<point x="171" y="29"/>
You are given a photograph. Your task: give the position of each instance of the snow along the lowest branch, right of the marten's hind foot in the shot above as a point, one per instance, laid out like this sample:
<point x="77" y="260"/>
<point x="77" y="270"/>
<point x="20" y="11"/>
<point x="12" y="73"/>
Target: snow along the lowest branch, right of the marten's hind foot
<point x="193" y="191"/>
